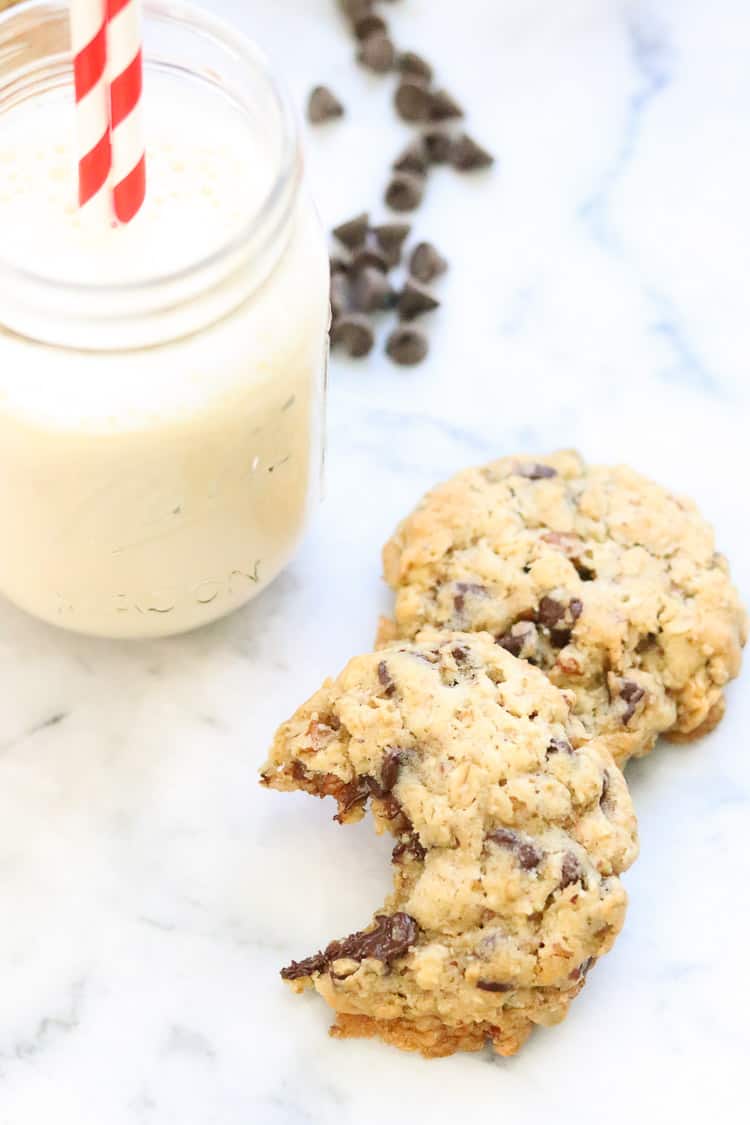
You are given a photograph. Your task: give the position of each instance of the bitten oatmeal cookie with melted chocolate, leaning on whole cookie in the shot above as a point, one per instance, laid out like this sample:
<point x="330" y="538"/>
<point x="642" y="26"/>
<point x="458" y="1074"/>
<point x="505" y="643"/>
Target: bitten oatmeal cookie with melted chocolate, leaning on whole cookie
<point x="510" y="827"/>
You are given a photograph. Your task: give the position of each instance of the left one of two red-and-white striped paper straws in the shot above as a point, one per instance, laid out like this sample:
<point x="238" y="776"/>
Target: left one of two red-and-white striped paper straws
<point x="89" y="44"/>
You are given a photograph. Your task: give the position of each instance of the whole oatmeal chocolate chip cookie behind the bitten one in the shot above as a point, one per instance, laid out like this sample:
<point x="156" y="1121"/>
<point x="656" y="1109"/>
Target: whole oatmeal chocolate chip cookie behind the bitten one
<point x="602" y="579"/>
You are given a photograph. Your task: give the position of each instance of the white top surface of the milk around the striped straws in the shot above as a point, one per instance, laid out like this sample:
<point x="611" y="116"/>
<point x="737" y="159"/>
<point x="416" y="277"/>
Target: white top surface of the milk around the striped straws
<point x="207" y="174"/>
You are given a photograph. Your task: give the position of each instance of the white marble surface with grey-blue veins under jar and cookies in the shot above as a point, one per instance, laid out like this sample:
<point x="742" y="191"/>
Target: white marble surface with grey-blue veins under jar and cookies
<point x="149" y="890"/>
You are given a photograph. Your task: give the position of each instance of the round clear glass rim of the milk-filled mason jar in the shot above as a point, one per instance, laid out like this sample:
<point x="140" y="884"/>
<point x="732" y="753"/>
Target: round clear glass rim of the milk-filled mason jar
<point x="266" y="214"/>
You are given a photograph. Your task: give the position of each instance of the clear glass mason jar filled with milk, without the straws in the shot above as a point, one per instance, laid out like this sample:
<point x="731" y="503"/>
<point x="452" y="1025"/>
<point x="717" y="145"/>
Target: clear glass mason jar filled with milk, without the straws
<point x="161" y="430"/>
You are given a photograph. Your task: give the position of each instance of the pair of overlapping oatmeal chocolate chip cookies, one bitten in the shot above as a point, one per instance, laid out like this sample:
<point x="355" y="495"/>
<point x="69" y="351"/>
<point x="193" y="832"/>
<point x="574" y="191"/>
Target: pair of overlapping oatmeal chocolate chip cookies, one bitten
<point x="552" y="622"/>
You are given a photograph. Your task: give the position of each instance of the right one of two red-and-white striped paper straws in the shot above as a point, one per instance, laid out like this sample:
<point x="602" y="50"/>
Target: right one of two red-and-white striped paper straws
<point x="125" y="80"/>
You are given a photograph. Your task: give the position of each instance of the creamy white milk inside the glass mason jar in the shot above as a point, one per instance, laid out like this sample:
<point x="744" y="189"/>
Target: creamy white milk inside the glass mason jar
<point x="149" y="491"/>
